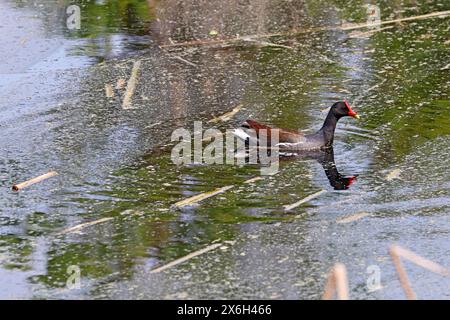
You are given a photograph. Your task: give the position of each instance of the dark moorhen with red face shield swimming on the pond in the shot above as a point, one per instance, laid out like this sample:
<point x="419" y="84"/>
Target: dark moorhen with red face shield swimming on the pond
<point x="290" y="140"/>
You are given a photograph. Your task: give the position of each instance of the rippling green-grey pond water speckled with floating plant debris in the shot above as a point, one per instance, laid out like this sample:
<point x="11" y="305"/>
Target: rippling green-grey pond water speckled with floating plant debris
<point x="116" y="163"/>
